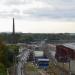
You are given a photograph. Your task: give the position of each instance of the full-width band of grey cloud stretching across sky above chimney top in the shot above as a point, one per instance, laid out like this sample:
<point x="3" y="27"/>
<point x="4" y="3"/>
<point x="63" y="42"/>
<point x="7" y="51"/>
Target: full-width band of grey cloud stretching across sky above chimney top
<point x="38" y="14"/>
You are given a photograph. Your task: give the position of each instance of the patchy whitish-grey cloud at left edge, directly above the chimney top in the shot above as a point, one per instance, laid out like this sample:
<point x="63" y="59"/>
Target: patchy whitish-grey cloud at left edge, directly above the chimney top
<point x="13" y="13"/>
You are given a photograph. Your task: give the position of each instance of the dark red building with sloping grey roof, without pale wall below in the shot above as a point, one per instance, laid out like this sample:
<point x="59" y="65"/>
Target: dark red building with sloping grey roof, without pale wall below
<point x="65" y="52"/>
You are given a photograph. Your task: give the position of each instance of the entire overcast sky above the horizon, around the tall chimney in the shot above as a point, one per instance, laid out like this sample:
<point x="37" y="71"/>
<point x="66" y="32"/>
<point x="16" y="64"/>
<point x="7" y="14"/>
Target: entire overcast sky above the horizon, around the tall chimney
<point x="38" y="16"/>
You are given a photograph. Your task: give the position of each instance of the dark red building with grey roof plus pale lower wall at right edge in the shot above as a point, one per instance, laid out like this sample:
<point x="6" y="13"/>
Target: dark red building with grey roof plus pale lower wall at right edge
<point x="65" y="53"/>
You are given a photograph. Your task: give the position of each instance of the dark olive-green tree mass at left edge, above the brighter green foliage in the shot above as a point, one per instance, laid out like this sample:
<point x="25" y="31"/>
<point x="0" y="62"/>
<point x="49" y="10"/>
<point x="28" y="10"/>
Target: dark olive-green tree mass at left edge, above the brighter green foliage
<point x="8" y="54"/>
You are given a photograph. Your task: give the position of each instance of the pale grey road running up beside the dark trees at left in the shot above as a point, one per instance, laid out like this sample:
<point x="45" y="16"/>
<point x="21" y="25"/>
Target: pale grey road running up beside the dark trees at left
<point x="22" y="59"/>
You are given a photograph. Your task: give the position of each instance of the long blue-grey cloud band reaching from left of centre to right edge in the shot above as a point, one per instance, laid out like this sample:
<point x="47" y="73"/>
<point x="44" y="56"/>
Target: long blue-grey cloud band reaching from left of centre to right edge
<point x="46" y="13"/>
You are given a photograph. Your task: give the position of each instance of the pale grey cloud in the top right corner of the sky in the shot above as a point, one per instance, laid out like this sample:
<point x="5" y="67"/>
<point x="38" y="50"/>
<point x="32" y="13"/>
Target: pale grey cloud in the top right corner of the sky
<point x="60" y="3"/>
